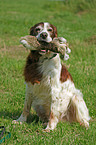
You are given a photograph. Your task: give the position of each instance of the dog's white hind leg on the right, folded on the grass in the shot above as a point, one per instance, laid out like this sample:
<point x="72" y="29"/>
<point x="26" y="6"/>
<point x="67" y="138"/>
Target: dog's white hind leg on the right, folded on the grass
<point x="78" y="110"/>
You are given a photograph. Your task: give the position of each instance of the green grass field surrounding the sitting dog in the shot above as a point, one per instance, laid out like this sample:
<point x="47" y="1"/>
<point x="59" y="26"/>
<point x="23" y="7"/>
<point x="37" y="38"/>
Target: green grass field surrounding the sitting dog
<point x="76" y="21"/>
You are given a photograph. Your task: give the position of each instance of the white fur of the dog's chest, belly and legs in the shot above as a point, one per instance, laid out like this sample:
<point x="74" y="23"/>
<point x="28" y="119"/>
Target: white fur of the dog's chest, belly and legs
<point x="54" y="96"/>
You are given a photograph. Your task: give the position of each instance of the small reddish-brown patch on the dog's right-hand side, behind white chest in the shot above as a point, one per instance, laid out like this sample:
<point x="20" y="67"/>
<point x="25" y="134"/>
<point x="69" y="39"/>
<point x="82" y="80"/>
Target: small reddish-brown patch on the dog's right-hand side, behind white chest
<point x="65" y="75"/>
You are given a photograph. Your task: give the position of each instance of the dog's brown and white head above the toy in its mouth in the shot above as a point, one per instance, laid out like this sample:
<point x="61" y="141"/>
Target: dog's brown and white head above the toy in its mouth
<point x="44" y="32"/>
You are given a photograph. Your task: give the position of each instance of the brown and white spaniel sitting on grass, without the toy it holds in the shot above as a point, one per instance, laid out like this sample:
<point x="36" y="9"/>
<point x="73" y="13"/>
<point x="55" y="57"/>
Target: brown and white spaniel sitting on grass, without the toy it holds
<point x="50" y="89"/>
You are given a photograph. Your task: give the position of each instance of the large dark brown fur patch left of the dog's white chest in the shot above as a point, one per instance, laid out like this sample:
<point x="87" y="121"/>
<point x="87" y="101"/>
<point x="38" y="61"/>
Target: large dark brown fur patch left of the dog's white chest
<point x="31" y="71"/>
